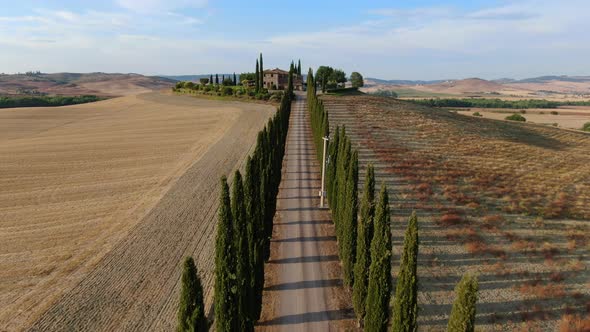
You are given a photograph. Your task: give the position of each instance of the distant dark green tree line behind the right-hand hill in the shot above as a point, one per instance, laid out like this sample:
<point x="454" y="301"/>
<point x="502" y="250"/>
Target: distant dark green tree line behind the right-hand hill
<point x="497" y="103"/>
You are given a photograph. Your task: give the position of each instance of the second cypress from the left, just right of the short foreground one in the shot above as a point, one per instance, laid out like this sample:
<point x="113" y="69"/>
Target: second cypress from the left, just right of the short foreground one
<point x="226" y="308"/>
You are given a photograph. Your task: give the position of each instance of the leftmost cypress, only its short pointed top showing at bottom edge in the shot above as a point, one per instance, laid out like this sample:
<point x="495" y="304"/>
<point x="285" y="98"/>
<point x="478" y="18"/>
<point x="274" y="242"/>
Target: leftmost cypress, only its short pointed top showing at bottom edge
<point x="191" y="312"/>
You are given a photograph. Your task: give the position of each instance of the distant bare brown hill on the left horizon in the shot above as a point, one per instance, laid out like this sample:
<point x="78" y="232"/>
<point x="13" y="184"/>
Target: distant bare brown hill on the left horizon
<point x="100" y="84"/>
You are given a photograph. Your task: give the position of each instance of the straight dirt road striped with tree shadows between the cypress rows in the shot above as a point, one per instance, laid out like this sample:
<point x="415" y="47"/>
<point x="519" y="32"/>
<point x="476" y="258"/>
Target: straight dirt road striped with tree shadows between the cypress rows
<point x="304" y="289"/>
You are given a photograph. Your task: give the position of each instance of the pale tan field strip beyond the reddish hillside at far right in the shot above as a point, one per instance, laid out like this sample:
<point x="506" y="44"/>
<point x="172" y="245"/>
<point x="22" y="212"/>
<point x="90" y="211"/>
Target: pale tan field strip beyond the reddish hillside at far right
<point x="567" y="117"/>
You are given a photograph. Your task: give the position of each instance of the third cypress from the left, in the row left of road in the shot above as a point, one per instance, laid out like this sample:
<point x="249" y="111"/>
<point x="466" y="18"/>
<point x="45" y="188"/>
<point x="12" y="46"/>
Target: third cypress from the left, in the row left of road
<point x="243" y="267"/>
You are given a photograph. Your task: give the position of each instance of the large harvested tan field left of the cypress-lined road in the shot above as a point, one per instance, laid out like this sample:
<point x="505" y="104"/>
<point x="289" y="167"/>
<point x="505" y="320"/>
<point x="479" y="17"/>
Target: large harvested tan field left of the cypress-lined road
<point x="100" y="203"/>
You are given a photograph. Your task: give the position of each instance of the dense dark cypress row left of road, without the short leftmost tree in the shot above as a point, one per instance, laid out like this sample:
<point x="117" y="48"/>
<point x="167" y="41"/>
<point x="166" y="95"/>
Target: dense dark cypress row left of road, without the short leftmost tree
<point x="245" y="227"/>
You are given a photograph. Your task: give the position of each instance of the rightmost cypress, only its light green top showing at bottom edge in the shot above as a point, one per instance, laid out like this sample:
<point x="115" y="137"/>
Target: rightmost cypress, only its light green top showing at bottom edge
<point x="463" y="313"/>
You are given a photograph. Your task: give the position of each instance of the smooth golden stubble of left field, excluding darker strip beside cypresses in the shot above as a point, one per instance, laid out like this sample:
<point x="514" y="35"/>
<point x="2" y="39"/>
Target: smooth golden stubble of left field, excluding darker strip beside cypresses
<point x="76" y="180"/>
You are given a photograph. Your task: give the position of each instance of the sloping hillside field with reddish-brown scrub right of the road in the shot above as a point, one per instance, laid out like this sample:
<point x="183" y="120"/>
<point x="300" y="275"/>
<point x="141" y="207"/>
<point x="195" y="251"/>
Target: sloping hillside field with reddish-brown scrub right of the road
<point x="509" y="201"/>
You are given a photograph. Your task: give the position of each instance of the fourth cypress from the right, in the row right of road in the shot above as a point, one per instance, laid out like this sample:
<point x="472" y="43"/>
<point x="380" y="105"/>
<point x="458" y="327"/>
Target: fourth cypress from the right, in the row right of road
<point x="363" y="245"/>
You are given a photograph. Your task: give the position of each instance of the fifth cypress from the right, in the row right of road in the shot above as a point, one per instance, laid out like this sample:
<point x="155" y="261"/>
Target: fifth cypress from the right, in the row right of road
<point x="349" y="222"/>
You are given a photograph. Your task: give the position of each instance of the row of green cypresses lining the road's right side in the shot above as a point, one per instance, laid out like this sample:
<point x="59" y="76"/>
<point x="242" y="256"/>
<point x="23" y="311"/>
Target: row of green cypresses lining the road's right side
<point x="364" y="244"/>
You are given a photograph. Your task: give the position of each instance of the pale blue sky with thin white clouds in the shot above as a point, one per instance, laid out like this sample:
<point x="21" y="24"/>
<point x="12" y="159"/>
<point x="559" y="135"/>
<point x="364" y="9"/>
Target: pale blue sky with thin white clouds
<point x="396" y="39"/>
